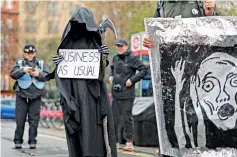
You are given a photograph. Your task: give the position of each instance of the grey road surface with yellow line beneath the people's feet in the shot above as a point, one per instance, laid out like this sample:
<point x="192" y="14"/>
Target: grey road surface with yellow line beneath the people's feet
<point x="51" y="143"/>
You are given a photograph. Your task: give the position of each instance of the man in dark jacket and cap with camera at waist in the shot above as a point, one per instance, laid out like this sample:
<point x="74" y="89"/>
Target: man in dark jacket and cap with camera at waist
<point x="123" y="77"/>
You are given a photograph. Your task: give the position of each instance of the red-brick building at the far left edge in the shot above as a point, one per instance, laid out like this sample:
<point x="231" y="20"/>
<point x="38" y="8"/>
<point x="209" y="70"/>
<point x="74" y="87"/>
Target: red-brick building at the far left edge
<point x="9" y="44"/>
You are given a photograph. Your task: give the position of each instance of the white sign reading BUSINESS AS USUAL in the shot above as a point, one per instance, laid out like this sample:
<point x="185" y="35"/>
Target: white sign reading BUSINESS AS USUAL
<point x="79" y="63"/>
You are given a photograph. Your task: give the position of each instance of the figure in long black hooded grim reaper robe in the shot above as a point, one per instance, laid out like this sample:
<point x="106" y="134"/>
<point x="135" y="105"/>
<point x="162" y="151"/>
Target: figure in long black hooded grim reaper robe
<point x="84" y="101"/>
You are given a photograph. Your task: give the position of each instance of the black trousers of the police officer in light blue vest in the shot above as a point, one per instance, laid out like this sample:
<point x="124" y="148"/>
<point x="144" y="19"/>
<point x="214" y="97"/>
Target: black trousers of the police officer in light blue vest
<point x="24" y="107"/>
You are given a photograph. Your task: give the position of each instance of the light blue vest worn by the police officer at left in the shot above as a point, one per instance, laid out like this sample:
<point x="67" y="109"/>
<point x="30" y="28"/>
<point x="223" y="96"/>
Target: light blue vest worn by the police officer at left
<point x="26" y="80"/>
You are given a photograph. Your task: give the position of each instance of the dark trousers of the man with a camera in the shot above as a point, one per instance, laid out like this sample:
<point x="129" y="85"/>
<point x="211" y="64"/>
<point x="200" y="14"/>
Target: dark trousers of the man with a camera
<point x="122" y="115"/>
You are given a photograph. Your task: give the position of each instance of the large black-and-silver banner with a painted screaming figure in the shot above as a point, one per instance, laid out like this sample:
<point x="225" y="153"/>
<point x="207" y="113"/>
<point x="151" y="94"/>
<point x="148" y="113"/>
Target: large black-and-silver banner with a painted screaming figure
<point x="194" y="74"/>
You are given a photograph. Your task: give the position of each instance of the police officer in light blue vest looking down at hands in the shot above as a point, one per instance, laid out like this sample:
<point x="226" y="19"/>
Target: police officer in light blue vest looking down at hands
<point x="29" y="73"/>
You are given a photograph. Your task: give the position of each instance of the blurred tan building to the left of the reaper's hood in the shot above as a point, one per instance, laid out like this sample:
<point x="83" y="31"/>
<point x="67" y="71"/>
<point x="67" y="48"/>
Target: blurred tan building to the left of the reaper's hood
<point x="42" y="23"/>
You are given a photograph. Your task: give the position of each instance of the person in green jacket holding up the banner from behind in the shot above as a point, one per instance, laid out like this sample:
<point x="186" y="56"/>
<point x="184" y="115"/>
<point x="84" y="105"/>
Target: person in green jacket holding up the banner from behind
<point x="182" y="9"/>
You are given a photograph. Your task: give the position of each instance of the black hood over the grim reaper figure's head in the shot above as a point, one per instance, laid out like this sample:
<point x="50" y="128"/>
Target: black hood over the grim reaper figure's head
<point x="81" y="21"/>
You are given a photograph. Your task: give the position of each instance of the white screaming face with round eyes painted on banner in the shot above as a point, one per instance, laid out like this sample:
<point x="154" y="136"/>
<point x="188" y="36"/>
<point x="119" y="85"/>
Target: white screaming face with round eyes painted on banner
<point x="217" y="89"/>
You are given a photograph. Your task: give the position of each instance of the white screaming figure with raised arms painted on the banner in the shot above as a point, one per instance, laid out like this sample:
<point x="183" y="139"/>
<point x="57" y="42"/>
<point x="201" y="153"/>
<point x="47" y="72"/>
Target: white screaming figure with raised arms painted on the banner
<point x="213" y="91"/>
